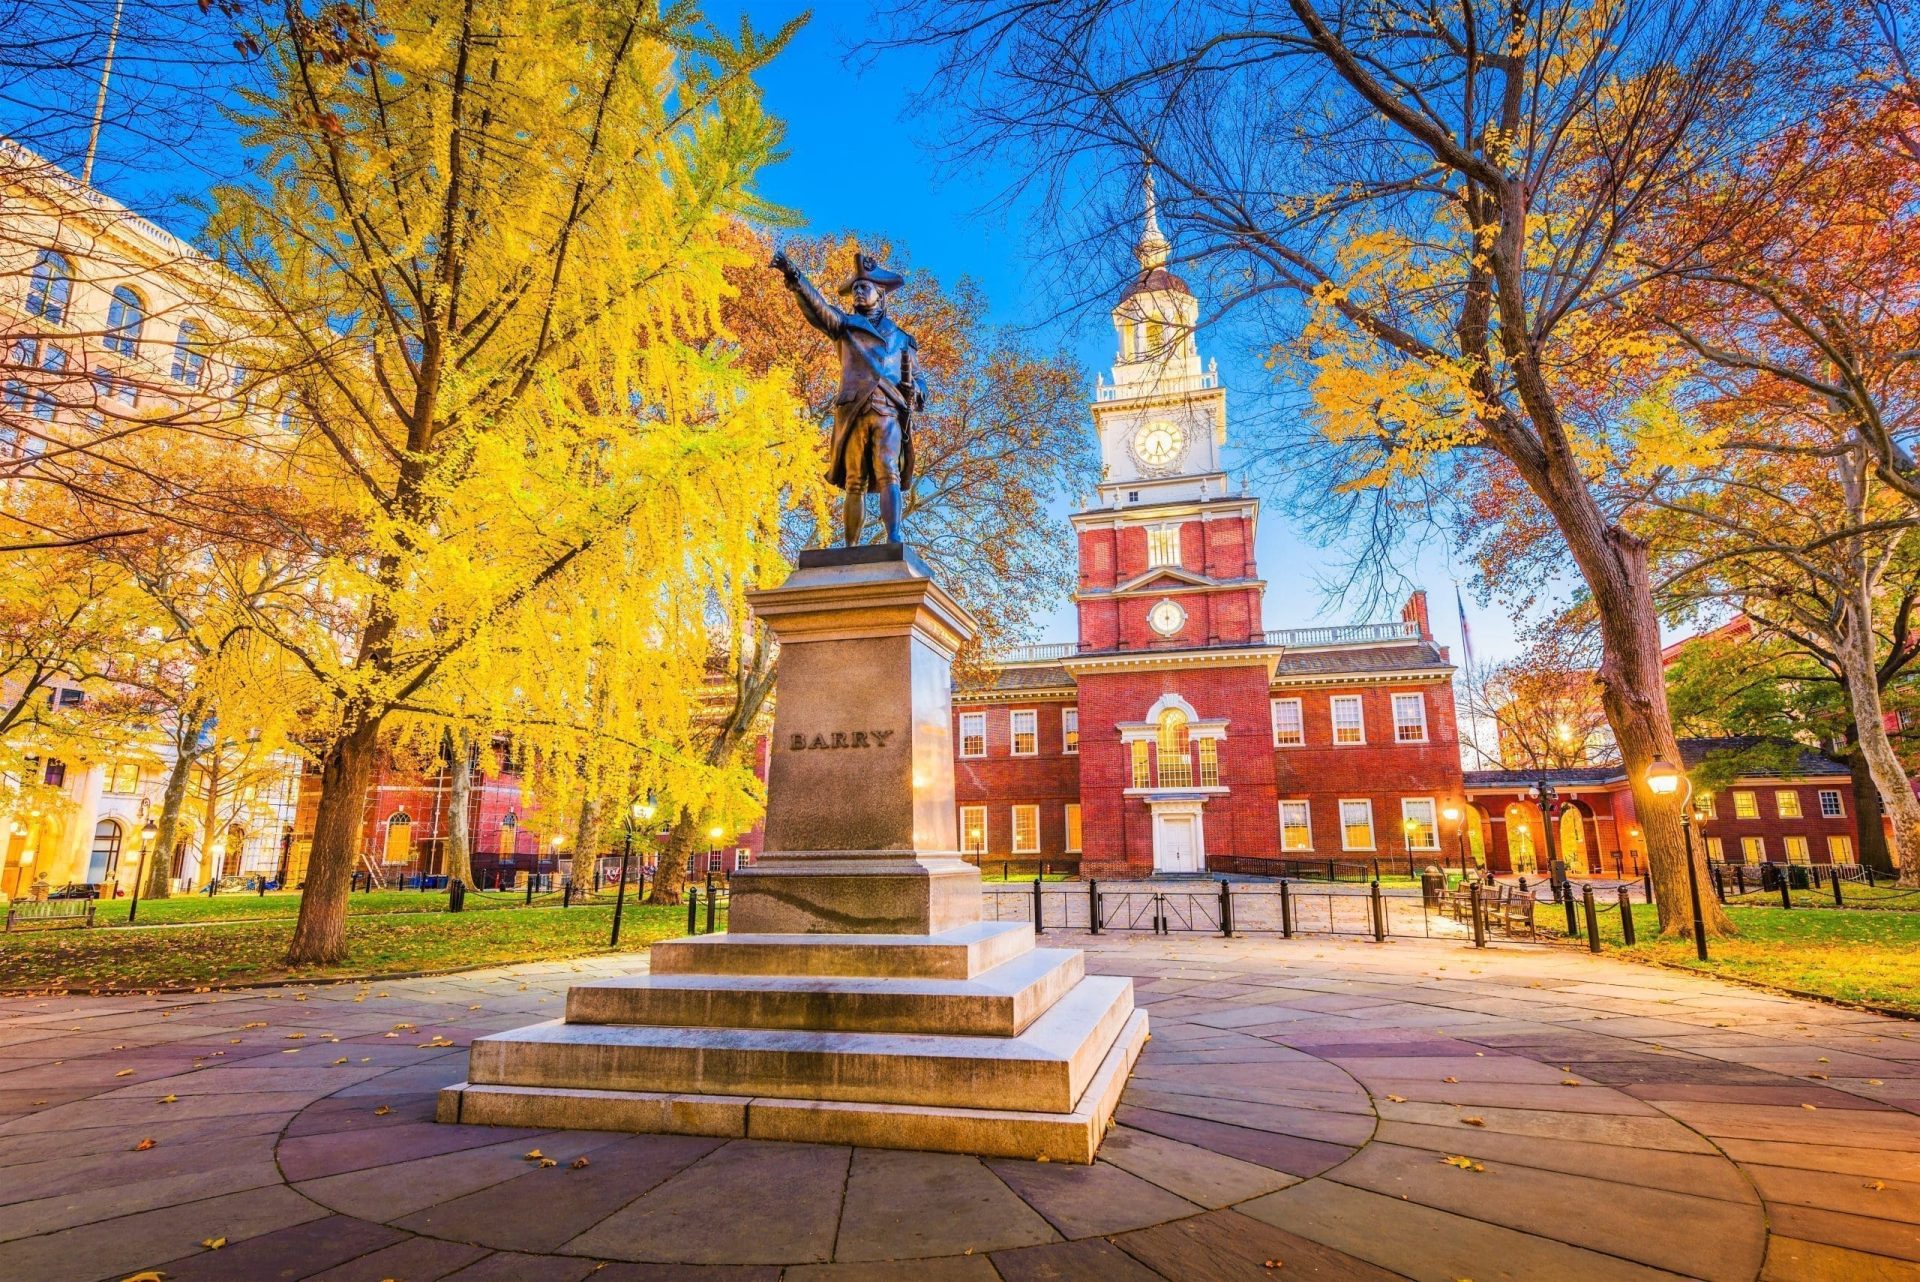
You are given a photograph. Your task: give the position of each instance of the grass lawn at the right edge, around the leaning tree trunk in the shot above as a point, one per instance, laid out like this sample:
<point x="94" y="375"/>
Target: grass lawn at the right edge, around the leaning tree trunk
<point x="1854" y="957"/>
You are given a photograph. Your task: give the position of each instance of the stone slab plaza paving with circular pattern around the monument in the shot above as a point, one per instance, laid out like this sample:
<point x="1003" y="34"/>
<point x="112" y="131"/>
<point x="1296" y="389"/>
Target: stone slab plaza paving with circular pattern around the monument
<point x="1295" y="1116"/>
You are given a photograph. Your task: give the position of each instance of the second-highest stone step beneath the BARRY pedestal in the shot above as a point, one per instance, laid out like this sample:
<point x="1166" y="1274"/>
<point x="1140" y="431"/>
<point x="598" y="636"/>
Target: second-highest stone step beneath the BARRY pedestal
<point x="999" y="1003"/>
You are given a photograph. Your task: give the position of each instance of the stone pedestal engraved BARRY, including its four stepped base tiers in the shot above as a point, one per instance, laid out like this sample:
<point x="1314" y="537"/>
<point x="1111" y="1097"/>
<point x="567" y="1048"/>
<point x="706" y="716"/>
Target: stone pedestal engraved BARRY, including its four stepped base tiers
<point x="857" y="999"/>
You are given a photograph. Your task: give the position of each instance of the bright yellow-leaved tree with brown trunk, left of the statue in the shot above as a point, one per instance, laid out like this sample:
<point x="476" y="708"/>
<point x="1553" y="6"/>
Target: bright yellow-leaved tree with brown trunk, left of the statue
<point x="481" y="260"/>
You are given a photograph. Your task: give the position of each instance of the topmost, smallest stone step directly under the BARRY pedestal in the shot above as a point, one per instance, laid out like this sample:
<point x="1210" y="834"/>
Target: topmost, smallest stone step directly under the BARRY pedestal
<point x="963" y="953"/>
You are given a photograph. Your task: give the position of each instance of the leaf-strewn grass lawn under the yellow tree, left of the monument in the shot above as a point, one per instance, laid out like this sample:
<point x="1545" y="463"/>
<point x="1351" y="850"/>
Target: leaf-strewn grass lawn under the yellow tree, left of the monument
<point x="381" y="945"/>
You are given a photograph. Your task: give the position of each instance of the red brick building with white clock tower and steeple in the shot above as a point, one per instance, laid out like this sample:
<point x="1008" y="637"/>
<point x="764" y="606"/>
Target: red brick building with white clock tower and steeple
<point x="1178" y="734"/>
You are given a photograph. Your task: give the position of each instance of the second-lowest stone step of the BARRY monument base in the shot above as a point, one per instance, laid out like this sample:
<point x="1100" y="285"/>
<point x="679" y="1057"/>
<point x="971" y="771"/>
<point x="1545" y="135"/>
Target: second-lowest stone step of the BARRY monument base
<point x="1044" y="1070"/>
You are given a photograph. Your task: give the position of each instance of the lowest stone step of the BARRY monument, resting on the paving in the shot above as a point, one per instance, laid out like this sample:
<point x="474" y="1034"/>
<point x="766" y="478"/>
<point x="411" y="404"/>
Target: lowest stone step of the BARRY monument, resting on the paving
<point x="990" y="1133"/>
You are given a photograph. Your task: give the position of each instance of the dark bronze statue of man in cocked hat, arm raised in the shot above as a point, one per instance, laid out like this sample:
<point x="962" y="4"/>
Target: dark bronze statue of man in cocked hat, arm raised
<point x="873" y="444"/>
